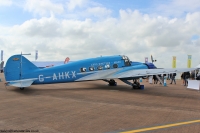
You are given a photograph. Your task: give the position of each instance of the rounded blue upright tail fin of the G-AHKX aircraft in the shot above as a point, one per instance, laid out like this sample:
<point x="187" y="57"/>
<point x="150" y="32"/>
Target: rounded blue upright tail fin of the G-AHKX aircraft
<point x="16" y="66"/>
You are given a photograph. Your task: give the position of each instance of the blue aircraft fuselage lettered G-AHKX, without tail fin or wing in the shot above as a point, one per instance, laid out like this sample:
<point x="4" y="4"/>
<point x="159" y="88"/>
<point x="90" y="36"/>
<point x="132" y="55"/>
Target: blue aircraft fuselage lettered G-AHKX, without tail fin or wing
<point x="79" y="69"/>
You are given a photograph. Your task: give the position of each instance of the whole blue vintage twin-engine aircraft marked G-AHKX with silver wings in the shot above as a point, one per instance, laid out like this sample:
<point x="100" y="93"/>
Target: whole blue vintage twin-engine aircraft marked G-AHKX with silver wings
<point x="20" y="72"/>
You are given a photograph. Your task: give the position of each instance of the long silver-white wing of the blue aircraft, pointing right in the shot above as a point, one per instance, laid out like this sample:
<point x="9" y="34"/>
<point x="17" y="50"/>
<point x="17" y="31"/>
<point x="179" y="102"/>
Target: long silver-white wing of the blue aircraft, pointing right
<point x="128" y="73"/>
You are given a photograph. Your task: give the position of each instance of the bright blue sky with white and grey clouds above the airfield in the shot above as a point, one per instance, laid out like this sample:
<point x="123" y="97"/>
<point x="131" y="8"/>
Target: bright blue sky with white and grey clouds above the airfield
<point x="89" y="28"/>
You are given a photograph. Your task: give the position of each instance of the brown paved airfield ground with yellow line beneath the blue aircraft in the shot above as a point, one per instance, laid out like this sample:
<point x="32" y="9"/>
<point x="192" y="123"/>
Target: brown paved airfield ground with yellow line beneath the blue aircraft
<point x="95" y="107"/>
